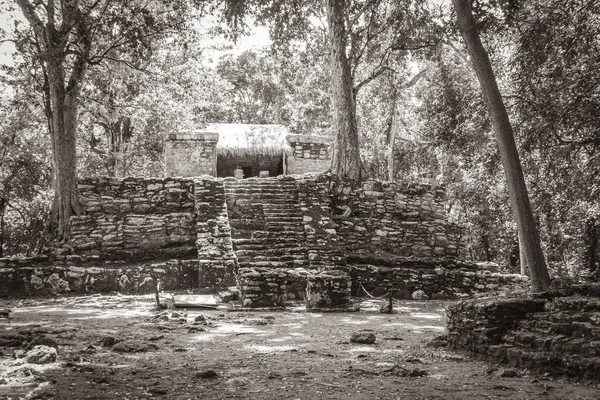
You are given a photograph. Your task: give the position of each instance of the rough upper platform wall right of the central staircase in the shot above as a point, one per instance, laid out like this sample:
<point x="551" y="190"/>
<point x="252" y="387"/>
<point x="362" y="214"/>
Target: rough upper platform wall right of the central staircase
<point x="395" y="219"/>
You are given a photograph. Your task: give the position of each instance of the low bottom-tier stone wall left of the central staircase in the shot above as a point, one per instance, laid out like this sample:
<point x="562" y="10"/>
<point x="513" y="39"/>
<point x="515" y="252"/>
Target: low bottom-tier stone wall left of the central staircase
<point x="42" y="276"/>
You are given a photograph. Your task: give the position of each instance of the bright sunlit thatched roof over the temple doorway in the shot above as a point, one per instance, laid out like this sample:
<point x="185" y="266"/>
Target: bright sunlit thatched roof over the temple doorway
<point x="240" y="140"/>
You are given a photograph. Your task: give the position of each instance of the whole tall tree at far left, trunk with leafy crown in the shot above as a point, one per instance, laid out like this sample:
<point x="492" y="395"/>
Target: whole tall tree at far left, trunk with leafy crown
<point x="69" y="36"/>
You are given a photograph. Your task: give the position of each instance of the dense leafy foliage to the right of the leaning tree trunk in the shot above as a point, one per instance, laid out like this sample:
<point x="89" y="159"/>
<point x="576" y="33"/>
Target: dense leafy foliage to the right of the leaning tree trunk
<point x="557" y="75"/>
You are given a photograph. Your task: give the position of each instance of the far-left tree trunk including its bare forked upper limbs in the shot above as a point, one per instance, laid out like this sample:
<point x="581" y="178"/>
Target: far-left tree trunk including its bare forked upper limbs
<point x="62" y="95"/>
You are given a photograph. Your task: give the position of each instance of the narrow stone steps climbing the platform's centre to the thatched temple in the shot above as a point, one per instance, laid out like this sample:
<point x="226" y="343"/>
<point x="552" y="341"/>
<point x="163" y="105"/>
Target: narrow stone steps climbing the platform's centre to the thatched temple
<point x="266" y="222"/>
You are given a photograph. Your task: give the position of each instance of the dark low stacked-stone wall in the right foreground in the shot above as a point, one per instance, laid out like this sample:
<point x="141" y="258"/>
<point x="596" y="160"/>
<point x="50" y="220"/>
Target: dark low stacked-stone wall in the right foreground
<point x="558" y="336"/>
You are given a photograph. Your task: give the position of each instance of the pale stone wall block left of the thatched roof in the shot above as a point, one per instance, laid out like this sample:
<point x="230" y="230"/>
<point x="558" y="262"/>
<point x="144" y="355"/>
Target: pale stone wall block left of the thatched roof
<point x="190" y="154"/>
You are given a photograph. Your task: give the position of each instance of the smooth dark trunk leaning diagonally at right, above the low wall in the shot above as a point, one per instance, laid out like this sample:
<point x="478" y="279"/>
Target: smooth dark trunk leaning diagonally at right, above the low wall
<point x="517" y="190"/>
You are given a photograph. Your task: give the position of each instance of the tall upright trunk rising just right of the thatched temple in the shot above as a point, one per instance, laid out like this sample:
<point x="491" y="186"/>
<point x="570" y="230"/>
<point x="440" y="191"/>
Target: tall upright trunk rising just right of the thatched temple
<point x="346" y="158"/>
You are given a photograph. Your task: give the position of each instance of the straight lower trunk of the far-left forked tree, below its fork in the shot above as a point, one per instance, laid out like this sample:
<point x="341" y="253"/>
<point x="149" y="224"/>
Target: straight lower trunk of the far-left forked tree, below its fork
<point x="63" y="133"/>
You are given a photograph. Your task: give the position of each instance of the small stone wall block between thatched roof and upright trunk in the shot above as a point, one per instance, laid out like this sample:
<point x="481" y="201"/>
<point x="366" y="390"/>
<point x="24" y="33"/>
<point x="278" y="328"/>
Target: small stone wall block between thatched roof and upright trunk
<point x="310" y="154"/>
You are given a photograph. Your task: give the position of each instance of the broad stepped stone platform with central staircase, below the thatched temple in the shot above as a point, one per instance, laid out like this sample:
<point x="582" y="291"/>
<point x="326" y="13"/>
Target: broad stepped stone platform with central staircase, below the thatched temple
<point x="266" y="235"/>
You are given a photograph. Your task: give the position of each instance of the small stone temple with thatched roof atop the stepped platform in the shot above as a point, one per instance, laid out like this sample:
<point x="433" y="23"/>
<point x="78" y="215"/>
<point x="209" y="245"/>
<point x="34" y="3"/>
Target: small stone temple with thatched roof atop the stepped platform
<point x="222" y="149"/>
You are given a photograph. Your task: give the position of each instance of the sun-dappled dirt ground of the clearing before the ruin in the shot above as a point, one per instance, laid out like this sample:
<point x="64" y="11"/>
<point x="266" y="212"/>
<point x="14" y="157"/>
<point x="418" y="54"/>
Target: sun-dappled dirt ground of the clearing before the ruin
<point x="111" y="347"/>
